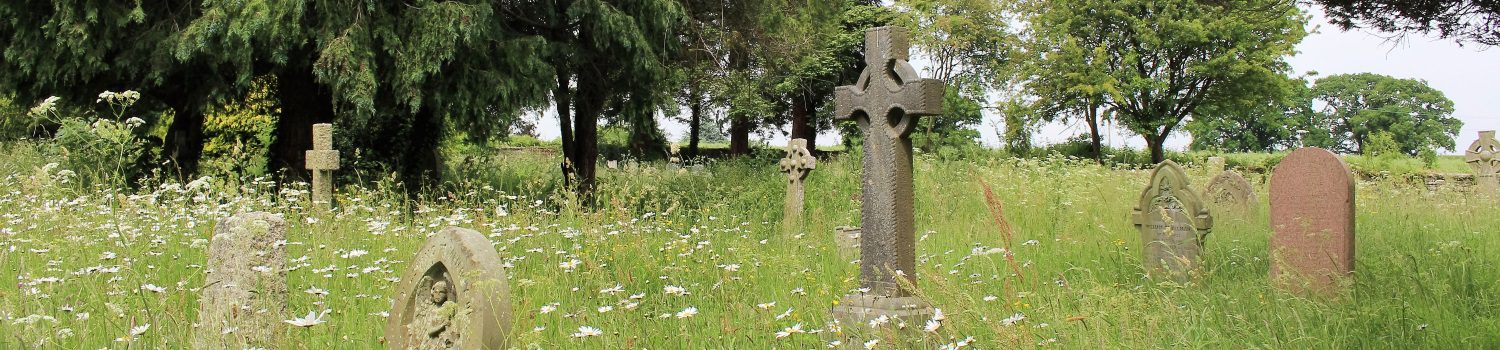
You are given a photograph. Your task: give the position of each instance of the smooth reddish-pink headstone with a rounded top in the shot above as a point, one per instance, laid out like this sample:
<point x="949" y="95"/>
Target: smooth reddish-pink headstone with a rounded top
<point x="1313" y="219"/>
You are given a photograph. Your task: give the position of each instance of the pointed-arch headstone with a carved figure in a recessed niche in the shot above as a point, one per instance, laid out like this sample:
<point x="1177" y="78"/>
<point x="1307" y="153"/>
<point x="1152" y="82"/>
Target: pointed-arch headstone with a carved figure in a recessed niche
<point x="452" y="297"/>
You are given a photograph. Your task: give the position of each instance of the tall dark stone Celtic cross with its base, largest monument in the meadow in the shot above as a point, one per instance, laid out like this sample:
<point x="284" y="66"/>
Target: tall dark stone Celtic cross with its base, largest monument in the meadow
<point x="886" y="103"/>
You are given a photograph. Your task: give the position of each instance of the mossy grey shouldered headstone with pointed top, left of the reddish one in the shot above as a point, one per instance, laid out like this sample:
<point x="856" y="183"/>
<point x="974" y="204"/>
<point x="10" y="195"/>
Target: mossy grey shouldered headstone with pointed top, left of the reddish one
<point x="1174" y="225"/>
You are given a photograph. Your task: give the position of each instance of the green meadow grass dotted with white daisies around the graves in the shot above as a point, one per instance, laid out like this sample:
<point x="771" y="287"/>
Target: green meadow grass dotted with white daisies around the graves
<point x="92" y="264"/>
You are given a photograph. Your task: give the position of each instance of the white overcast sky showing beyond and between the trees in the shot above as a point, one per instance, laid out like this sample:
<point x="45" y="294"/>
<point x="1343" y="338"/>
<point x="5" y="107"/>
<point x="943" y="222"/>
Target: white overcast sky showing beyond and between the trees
<point x="1469" y="76"/>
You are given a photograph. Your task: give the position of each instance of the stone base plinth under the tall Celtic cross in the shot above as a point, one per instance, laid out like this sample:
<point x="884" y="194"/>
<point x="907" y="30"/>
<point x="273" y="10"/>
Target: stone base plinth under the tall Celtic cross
<point x="857" y="312"/>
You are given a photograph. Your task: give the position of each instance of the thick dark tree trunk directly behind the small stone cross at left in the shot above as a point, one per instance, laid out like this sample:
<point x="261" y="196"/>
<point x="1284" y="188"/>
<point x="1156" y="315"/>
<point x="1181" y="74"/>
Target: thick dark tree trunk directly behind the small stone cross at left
<point x="304" y="103"/>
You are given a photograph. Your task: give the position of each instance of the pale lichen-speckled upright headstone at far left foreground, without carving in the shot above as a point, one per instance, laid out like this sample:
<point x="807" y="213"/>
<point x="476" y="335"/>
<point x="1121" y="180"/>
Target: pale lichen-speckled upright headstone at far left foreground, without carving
<point x="244" y="298"/>
